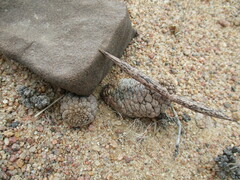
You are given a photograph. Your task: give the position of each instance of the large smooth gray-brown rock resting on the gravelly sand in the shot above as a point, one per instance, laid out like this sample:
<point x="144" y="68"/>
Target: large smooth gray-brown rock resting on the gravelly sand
<point x="59" y="40"/>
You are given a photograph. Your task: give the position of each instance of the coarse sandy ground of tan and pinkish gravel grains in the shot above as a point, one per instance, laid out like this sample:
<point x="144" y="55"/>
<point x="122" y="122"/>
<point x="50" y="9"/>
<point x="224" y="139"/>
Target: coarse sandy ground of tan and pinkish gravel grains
<point x="195" y="42"/>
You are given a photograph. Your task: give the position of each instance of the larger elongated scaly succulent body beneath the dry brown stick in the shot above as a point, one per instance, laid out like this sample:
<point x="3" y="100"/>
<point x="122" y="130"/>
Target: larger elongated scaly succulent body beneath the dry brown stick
<point x="132" y="99"/>
